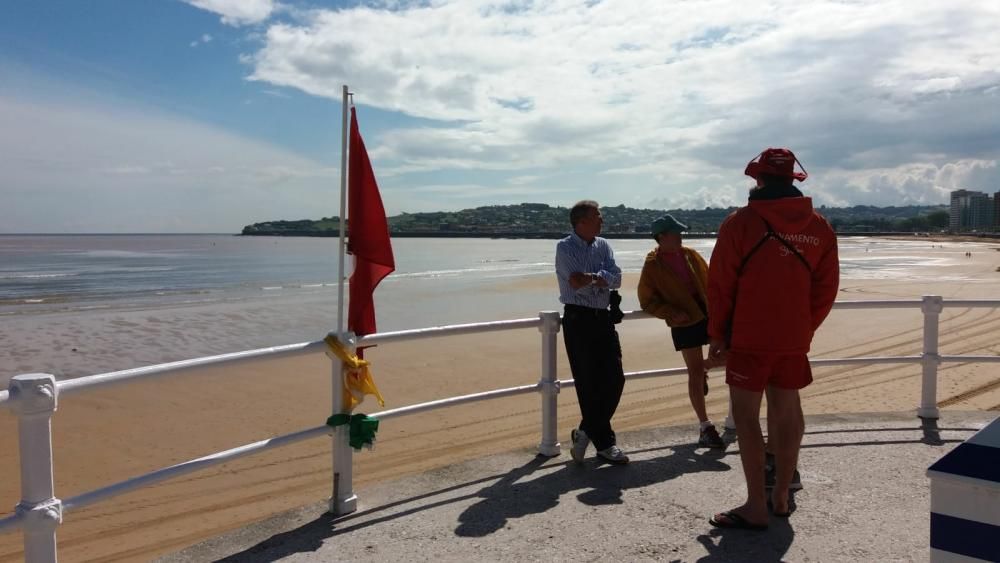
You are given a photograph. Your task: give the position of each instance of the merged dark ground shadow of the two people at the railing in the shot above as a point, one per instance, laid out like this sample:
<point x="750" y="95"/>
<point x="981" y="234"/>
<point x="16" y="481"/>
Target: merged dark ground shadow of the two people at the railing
<point x="599" y="484"/>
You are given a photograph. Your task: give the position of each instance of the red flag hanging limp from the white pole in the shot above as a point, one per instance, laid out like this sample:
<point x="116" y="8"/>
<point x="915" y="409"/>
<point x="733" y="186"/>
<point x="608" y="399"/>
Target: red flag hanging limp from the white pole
<point x="369" y="236"/>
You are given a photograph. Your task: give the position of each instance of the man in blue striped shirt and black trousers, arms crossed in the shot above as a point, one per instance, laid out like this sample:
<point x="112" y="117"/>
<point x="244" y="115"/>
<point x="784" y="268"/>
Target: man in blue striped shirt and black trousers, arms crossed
<point x="587" y="272"/>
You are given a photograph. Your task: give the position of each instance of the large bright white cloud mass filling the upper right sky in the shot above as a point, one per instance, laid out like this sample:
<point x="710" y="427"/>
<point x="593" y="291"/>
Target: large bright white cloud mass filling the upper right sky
<point x="661" y="97"/>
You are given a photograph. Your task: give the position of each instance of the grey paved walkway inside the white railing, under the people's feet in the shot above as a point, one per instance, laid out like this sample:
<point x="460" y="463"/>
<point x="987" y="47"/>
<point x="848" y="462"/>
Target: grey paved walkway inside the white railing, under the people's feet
<point x="866" y="498"/>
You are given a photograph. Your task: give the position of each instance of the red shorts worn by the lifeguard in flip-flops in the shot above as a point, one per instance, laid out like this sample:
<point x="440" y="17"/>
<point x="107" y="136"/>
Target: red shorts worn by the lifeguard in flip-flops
<point x="754" y="372"/>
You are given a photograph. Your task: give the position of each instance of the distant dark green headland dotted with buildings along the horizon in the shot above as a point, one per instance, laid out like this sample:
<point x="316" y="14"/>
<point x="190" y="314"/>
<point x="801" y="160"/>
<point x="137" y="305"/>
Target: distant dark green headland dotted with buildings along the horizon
<point x="539" y="220"/>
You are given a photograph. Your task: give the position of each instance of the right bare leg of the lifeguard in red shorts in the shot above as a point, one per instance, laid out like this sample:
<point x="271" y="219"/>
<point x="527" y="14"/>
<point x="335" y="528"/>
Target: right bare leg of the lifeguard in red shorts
<point x="786" y="441"/>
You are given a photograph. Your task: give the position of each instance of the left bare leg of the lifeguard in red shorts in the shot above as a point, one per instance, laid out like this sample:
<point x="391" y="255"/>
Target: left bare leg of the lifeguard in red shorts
<point x="746" y="413"/>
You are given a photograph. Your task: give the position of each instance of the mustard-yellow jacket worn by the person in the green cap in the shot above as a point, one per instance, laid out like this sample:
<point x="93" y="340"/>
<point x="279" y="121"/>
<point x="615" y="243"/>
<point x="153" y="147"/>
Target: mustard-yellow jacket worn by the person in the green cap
<point x="661" y="292"/>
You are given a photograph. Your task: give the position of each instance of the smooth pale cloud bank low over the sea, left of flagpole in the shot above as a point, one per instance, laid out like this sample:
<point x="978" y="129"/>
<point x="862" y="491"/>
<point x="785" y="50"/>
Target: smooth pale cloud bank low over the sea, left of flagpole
<point x="92" y="168"/>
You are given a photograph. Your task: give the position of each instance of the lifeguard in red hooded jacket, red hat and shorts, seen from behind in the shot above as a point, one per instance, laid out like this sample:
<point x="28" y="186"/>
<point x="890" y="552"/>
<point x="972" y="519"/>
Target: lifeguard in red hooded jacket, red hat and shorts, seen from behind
<point x="772" y="281"/>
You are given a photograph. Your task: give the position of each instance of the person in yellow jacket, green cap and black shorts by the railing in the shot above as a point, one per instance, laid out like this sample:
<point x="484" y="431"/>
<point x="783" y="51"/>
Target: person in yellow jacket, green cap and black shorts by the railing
<point x="672" y="287"/>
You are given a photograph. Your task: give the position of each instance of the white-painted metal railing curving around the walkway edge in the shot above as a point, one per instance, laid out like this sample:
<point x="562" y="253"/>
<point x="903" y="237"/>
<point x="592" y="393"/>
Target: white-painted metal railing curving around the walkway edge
<point x="34" y="398"/>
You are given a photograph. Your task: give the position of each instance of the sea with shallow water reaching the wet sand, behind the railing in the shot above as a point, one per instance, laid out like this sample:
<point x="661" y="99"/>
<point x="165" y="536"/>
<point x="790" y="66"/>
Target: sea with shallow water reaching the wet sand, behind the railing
<point x="76" y="305"/>
